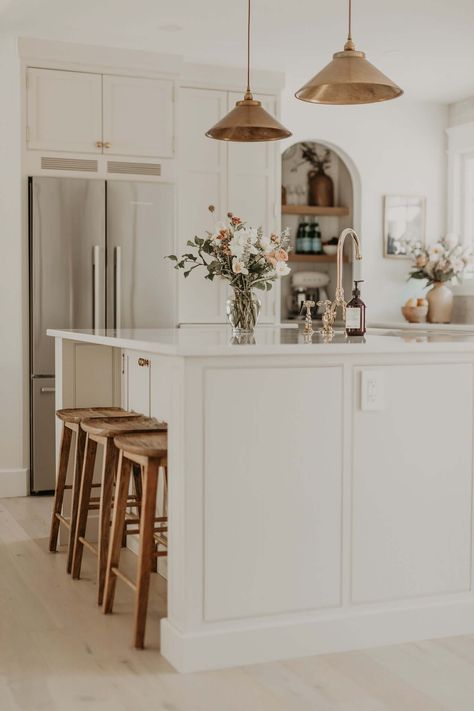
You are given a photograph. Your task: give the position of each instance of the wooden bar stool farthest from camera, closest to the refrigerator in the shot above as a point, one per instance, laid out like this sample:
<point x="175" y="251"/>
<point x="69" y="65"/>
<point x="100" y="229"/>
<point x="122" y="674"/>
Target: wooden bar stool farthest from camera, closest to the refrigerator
<point x="71" y="419"/>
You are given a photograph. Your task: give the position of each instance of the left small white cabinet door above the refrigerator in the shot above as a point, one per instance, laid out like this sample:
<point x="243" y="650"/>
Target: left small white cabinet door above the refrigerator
<point x="64" y="111"/>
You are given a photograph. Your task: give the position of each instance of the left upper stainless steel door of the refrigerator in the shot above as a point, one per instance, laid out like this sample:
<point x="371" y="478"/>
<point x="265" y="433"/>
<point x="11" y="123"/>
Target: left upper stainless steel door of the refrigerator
<point x="67" y="261"/>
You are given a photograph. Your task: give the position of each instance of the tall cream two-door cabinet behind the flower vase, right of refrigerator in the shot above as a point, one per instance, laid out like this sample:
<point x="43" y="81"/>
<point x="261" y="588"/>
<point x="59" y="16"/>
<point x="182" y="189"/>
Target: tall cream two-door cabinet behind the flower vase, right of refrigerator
<point x="240" y="178"/>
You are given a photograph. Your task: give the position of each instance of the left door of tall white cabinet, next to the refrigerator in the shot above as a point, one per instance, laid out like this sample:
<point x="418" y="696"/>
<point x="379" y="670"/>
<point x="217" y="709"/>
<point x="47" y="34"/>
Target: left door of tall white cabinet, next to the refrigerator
<point x="202" y="183"/>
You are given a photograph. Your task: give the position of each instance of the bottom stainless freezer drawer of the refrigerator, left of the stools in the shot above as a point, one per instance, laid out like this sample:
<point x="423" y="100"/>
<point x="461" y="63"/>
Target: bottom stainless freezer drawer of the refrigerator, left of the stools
<point x="42" y="435"/>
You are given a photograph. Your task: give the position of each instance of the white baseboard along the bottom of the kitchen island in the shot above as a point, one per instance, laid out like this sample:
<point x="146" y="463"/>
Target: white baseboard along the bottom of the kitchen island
<point x="224" y="647"/>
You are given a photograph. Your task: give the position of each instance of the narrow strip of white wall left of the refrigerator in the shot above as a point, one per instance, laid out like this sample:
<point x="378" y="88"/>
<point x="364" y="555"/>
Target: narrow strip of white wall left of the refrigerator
<point x="13" y="309"/>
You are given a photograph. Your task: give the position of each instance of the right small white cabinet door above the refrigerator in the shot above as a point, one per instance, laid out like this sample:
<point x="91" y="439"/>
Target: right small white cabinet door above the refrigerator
<point x="138" y="116"/>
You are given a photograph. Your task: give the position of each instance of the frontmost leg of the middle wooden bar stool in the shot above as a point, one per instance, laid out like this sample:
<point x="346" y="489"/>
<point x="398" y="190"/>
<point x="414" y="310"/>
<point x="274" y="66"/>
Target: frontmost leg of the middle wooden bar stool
<point x="108" y="477"/>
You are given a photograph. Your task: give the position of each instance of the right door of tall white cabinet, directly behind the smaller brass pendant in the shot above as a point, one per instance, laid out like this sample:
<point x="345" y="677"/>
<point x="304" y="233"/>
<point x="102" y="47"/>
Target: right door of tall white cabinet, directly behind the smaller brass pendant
<point x="253" y="191"/>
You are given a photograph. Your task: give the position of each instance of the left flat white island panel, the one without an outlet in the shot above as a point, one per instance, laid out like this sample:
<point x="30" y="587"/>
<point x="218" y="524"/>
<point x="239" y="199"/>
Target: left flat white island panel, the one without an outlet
<point x="249" y="501"/>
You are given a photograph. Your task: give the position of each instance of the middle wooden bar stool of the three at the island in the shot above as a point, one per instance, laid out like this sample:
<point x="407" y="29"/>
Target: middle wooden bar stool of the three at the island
<point x="102" y="432"/>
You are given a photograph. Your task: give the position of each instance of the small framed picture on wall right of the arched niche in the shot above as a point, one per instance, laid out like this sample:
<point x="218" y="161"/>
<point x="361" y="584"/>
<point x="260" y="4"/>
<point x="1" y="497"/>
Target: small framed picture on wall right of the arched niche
<point x="403" y="222"/>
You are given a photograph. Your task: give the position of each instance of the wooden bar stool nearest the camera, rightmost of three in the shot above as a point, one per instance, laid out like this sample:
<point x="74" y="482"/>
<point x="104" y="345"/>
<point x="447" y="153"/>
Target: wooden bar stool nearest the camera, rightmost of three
<point x="150" y="451"/>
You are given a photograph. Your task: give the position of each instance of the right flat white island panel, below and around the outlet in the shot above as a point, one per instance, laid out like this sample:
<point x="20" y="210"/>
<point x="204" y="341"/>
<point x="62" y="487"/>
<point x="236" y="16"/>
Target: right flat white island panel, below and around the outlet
<point x="431" y="553"/>
